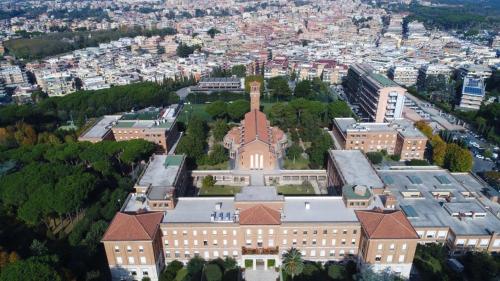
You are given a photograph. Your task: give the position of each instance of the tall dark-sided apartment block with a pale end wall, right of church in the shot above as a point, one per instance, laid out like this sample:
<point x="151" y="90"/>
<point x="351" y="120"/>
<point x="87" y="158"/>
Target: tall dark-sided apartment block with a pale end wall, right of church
<point x="380" y="98"/>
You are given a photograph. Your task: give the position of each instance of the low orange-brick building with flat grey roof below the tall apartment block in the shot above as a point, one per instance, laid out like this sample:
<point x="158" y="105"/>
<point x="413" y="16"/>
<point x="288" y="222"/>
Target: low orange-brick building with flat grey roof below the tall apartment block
<point x="399" y="137"/>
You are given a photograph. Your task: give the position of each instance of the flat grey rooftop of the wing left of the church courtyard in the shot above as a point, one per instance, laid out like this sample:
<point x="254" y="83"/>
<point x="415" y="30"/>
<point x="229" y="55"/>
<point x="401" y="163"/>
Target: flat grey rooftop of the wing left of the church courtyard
<point x="161" y="171"/>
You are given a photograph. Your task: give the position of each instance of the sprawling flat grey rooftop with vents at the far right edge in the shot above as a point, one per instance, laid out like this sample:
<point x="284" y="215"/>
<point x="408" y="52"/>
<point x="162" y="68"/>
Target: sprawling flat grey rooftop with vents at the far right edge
<point x="429" y="211"/>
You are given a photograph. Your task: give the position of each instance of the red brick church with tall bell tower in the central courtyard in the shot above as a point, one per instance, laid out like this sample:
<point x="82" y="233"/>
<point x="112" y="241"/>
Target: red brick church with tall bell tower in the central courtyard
<point x="255" y="145"/>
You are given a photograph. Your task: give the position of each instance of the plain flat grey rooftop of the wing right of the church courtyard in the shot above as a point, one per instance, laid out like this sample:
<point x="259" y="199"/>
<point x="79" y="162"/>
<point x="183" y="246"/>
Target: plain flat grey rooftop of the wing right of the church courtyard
<point x="355" y="168"/>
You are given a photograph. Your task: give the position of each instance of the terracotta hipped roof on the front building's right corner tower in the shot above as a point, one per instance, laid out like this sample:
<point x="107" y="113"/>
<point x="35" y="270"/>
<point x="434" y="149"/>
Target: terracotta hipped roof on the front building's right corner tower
<point x="380" y="224"/>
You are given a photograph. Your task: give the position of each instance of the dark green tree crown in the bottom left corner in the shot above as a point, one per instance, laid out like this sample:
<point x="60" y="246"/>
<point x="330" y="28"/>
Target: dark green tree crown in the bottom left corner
<point x="29" y="270"/>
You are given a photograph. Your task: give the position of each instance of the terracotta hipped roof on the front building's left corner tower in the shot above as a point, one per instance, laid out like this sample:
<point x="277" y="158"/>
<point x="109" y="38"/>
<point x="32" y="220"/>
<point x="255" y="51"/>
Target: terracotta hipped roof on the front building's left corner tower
<point x="133" y="227"/>
